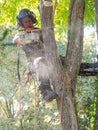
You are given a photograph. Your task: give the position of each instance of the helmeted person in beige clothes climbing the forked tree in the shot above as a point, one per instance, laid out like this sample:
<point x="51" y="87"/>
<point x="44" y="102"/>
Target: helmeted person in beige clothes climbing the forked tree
<point x="30" y="39"/>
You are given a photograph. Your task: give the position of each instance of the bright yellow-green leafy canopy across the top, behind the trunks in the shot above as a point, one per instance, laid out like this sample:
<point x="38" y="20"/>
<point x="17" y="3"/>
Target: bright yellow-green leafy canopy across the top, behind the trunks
<point x="10" y="8"/>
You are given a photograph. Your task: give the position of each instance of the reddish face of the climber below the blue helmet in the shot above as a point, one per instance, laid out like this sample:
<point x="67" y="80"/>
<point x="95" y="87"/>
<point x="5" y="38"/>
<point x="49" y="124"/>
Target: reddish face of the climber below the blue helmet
<point x="27" y="22"/>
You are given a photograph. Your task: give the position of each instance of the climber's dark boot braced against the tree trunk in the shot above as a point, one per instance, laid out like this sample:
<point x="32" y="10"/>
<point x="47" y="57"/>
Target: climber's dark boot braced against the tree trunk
<point x="46" y="91"/>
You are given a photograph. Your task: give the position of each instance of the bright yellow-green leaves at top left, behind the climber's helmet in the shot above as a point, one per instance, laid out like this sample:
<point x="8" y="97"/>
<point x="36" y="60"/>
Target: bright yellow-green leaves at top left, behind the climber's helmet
<point x="9" y="9"/>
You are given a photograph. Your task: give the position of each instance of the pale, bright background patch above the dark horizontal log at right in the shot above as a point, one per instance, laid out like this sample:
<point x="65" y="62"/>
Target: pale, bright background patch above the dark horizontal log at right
<point x="89" y="49"/>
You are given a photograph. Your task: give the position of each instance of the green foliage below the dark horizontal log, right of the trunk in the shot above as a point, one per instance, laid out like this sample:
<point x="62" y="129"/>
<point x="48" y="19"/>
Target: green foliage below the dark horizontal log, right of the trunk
<point x="85" y="102"/>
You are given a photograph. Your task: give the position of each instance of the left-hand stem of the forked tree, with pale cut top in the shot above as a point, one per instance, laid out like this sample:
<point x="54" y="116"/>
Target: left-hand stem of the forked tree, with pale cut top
<point x="52" y="58"/>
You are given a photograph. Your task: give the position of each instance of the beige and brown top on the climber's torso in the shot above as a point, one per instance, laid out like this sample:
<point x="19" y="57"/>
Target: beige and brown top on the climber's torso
<point x="31" y="42"/>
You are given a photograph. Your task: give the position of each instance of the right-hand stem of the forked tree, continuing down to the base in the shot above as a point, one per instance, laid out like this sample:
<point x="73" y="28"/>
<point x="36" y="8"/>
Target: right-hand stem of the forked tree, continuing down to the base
<point x="73" y="61"/>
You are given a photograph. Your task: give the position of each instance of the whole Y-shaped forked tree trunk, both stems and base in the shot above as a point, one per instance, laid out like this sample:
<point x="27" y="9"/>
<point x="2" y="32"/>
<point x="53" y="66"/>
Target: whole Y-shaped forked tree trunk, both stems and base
<point x="64" y="79"/>
